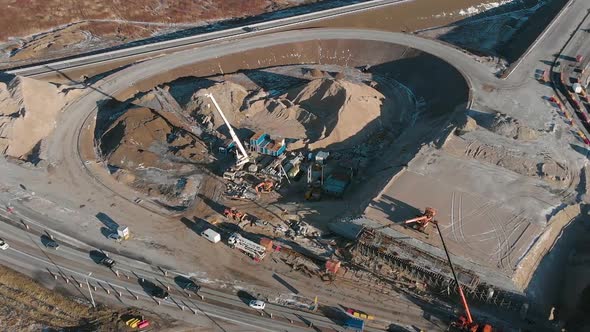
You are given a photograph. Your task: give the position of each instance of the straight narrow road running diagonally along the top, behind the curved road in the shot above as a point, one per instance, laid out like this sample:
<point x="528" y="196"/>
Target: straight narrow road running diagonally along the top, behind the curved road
<point x="158" y="48"/>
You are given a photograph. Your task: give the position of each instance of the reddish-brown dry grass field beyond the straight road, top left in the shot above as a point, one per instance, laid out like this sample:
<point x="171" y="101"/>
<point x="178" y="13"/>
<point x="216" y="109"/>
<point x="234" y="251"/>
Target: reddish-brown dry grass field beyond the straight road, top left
<point x="73" y="28"/>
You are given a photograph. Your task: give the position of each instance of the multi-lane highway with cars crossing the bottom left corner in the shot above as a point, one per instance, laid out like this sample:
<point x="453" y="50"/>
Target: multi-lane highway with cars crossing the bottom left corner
<point x="28" y="253"/>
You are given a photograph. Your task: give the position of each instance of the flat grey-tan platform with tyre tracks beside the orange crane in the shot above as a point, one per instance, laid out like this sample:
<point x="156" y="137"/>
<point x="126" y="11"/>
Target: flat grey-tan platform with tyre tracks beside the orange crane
<point x="489" y="216"/>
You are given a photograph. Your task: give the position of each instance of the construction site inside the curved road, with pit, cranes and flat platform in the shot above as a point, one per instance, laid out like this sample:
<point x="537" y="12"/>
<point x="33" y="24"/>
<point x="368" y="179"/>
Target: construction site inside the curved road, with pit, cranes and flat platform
<point x="288" y="154"/>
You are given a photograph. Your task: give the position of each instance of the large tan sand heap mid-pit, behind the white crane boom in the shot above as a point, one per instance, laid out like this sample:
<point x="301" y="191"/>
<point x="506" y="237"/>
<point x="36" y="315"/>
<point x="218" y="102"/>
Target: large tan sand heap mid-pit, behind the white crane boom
<point x="320" y="112"/>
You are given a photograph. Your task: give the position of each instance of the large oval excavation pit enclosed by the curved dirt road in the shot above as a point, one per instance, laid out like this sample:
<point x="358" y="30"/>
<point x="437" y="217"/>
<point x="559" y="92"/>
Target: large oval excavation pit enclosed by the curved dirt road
<point x="326" y="95"/>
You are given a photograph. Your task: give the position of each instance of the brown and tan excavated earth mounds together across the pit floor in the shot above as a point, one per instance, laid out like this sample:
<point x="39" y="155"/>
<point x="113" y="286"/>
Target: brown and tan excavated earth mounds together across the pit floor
<point x="160" y="142"/>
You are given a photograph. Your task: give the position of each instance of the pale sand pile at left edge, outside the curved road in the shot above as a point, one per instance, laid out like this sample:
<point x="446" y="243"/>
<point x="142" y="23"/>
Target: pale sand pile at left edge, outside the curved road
<point x="28" y="113"/>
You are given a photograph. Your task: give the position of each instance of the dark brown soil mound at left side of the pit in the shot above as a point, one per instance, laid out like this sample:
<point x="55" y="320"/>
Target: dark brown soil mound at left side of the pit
<point x="141" y="137"/>
